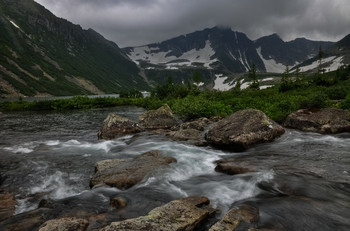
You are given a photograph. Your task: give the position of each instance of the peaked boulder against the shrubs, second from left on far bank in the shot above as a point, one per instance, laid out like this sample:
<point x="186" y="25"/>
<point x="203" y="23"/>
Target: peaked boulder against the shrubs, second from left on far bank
<point x="162" y="118"/>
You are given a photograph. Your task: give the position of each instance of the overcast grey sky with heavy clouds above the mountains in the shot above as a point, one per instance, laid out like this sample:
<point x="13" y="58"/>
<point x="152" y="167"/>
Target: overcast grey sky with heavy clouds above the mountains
<point x="139" y="22"/>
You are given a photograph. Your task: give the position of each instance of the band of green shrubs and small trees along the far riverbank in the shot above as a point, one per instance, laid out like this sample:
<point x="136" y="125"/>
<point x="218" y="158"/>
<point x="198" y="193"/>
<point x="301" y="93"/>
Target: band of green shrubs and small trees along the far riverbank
<point x="190" y="102"/>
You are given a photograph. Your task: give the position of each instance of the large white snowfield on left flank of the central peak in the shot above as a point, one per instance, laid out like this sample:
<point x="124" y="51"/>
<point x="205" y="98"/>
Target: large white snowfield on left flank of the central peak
<point x="155" y="56"/>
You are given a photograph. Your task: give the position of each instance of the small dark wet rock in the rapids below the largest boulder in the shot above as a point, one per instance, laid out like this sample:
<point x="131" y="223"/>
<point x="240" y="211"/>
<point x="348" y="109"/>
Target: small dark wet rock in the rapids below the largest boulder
<point x="233" y="168"/>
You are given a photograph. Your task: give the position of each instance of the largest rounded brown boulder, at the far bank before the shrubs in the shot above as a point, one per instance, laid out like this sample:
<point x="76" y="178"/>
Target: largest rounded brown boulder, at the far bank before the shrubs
<point x="243" y="129"/>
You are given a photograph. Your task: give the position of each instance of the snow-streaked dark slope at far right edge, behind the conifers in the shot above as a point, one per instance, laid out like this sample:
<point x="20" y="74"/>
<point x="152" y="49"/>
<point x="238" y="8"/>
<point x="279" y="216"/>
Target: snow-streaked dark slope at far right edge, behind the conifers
<point x="334" y="56"/>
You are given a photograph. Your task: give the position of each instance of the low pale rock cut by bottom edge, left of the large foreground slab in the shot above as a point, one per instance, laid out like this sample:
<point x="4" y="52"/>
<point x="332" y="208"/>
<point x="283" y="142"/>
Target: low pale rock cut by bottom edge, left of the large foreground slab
<point x="65" y="224"/>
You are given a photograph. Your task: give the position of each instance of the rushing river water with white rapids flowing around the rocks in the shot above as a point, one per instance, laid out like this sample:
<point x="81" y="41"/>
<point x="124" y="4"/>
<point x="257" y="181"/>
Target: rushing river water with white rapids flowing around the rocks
<point x="302" y="182"/>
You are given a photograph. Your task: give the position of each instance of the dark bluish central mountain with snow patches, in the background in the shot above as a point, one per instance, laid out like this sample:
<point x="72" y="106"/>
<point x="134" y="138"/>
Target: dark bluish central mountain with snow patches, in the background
<point x="224" y="51"/>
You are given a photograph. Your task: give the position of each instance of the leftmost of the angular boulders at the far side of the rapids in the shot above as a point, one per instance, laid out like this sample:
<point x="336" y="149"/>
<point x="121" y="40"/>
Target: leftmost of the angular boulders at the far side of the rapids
<point x="115" y="126"/>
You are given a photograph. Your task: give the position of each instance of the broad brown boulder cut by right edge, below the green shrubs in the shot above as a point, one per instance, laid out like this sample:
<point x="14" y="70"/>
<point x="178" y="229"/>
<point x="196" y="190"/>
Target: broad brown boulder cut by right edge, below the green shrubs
<point x="326" y="120"/>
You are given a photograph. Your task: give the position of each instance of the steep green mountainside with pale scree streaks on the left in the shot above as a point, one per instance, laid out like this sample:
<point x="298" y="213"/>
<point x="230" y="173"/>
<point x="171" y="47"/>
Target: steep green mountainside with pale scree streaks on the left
<point x="41" y="54"/>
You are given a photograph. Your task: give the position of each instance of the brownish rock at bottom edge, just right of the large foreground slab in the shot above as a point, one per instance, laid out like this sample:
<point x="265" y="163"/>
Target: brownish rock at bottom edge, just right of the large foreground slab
<point x="244" y="217"/>
